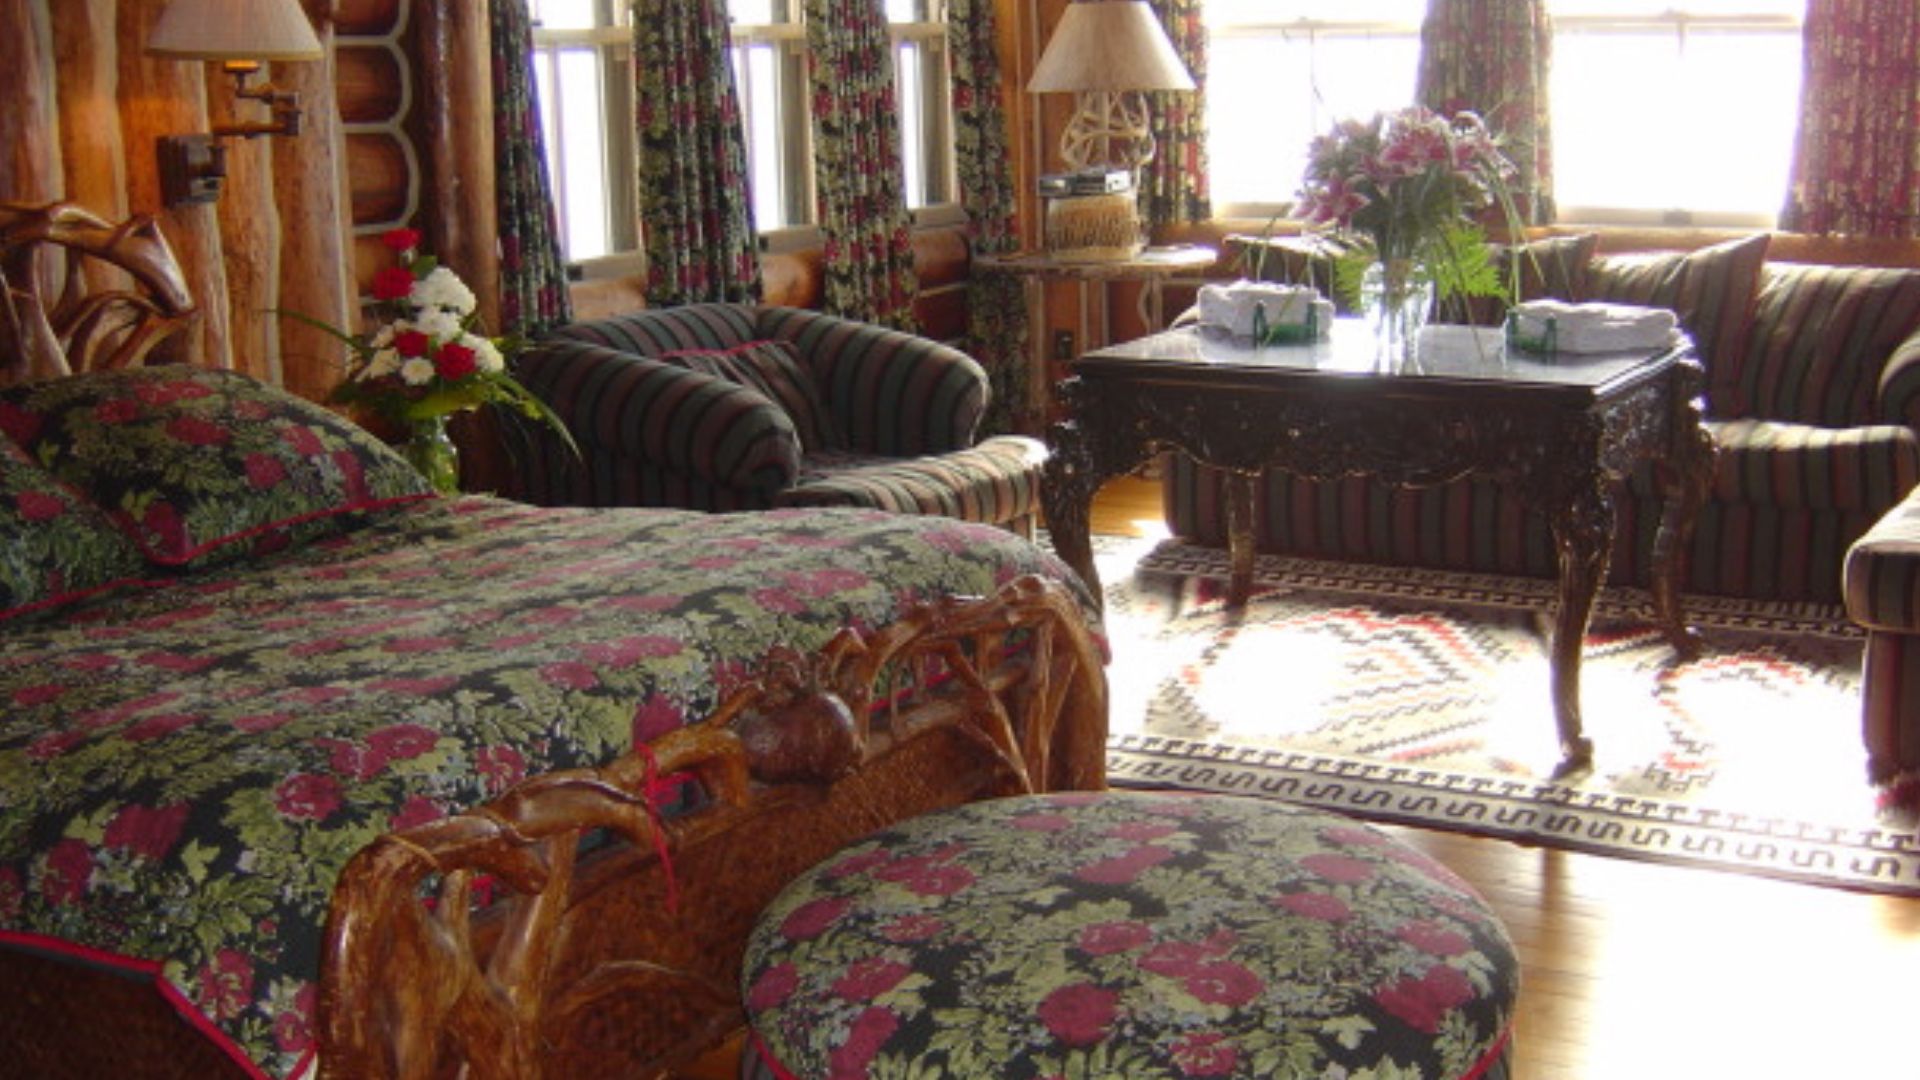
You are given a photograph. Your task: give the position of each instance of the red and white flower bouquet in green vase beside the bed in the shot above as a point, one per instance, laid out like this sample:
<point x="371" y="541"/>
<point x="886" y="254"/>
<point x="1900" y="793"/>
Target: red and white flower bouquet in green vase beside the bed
<point x="429" y="358"/>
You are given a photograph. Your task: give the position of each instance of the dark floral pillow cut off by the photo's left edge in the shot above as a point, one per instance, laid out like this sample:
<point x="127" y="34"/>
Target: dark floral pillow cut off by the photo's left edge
<point x="55" y="547"/>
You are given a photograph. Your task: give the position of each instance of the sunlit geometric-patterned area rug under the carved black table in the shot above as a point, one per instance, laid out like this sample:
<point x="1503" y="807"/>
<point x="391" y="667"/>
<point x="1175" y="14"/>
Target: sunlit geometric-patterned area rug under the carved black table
<point x="1422" y="699"/>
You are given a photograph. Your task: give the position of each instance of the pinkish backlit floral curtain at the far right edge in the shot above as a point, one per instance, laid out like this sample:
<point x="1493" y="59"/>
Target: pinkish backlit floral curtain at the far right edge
<point x="1858" y="157"/>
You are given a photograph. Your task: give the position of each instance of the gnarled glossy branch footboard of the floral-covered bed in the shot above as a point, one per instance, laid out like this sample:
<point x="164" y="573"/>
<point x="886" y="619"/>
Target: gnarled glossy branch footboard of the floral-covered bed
<point x="623" y="958"/>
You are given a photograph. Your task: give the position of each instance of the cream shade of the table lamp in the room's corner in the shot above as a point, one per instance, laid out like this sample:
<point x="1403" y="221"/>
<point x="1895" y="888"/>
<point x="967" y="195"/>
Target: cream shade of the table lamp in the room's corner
<point x="1109" y="45"/>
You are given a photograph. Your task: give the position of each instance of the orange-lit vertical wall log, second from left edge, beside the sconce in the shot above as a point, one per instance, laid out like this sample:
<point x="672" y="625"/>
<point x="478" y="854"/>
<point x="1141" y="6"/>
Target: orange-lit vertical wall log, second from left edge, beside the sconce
<point x="85" y="76"/>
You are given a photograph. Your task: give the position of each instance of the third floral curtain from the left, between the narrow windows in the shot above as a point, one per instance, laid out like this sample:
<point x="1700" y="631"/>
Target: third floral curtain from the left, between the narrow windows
<point x="857" y="160"/>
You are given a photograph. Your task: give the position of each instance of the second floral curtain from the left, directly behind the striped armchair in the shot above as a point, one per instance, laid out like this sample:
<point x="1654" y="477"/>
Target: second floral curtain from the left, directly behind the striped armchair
<point x="696" y="207"/>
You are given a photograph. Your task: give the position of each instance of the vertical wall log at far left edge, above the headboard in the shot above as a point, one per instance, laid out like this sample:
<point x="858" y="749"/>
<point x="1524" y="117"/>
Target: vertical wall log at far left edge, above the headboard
<point x="30" y="126"/>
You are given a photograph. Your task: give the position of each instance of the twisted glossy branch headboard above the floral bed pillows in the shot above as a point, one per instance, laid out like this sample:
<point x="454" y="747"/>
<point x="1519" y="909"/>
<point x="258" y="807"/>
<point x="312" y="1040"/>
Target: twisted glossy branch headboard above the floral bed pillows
<point x="84" y="326"/>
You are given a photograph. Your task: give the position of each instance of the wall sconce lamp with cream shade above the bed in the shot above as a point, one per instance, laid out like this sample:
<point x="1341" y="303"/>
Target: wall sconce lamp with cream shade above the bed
<point x="243" y="36"/>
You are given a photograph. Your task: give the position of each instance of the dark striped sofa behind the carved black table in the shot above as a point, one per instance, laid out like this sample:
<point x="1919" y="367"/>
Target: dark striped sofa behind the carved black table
<point x="1813" y="403"/>
